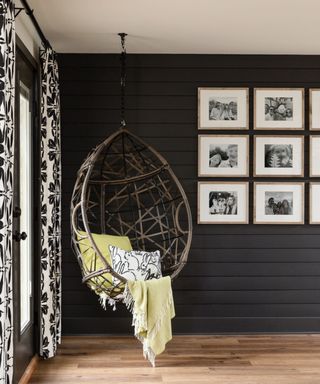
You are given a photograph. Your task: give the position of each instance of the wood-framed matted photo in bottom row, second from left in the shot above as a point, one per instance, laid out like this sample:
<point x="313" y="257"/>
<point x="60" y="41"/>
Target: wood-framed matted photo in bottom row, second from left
<point x="278" y="203"/>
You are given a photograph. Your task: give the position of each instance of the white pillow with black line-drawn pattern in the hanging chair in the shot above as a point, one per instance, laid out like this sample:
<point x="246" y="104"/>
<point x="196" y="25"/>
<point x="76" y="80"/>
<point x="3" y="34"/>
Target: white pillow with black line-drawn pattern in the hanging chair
<point x="135" y="265"/>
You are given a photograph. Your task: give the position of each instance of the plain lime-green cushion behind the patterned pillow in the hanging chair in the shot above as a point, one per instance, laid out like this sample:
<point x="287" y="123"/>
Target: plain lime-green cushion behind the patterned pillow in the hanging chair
<point x="92" y="262"/>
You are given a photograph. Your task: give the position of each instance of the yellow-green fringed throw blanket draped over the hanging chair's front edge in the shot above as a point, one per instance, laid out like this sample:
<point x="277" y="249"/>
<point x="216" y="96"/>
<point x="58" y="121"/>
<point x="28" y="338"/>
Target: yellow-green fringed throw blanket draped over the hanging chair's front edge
<point x="152" y="307"/>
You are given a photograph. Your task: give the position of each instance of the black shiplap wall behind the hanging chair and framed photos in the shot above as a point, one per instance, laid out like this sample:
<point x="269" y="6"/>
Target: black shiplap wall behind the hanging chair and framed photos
<point x="240" y="278"/>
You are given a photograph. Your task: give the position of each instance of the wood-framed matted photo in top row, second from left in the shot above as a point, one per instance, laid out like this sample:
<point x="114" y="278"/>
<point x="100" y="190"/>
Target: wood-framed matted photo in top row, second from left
<point x="279" y="108"/>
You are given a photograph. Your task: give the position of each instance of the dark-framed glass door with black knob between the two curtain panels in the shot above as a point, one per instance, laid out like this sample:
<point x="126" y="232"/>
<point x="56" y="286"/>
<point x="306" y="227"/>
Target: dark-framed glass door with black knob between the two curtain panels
<point x="24" y="218"/>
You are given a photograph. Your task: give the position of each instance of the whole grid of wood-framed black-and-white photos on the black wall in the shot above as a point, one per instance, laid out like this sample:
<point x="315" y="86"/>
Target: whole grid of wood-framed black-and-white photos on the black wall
<point x="265" y="156"/>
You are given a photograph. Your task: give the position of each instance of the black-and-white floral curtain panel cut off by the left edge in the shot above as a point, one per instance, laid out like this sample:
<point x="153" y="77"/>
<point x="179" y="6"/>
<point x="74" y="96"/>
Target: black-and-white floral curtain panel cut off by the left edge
<point x="7" y="84"/>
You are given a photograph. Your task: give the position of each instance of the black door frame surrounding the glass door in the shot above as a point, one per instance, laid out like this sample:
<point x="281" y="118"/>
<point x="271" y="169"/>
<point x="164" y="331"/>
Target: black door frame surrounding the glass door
<point x="35" y="67"/>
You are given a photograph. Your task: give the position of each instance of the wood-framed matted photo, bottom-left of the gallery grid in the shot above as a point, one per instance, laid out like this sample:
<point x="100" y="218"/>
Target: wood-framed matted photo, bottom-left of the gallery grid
<point x="222" y="203"/>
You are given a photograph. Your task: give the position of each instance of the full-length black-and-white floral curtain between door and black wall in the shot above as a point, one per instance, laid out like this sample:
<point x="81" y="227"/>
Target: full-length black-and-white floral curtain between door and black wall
<point x="50" y="205"/>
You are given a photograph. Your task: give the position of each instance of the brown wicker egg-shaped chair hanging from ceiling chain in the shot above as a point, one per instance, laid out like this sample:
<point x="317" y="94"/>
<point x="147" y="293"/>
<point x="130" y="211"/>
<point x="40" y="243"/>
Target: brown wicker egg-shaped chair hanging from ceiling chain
<point x="124" y="187"/>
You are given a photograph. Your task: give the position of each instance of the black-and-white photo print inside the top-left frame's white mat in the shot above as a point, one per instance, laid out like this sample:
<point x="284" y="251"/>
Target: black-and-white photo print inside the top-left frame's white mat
<point x="223" y="108"/>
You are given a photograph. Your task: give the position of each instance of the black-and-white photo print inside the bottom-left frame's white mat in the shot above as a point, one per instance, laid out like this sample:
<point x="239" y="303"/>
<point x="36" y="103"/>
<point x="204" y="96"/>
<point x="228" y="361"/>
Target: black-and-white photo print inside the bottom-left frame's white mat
<point x="223" y="202"/>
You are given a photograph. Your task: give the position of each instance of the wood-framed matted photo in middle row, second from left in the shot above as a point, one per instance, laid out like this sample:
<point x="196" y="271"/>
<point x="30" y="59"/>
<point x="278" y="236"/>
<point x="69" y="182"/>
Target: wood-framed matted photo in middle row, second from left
<point x="279" y="156"/>
